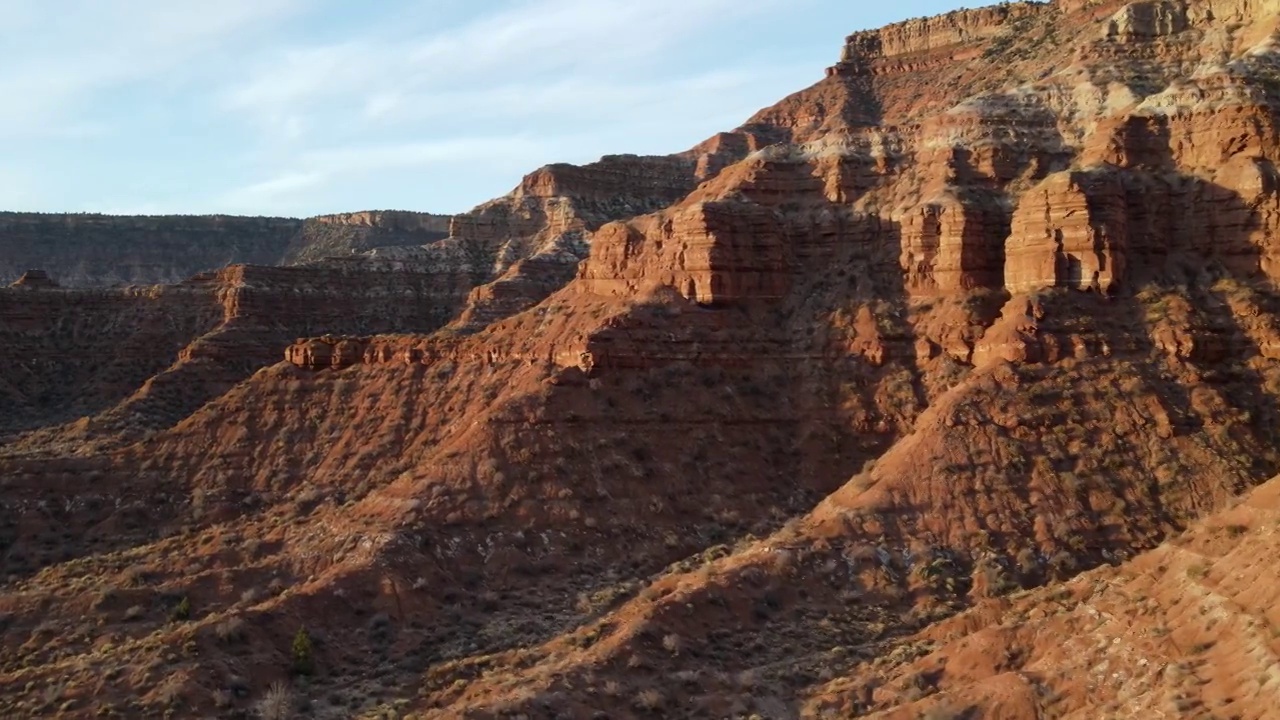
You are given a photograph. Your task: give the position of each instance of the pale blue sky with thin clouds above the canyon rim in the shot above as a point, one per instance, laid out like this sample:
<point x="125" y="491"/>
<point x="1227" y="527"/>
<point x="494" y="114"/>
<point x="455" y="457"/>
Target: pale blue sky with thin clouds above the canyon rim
<point x="308" y="107"/>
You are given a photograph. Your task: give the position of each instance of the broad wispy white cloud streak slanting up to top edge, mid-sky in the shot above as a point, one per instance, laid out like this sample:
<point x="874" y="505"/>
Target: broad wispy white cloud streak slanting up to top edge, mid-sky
<point x="523" y="49"/>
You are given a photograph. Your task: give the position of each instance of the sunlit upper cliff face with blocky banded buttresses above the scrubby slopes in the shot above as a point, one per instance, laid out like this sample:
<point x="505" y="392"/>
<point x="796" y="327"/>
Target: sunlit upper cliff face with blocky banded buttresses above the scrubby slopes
<point x="1066" y="177"/>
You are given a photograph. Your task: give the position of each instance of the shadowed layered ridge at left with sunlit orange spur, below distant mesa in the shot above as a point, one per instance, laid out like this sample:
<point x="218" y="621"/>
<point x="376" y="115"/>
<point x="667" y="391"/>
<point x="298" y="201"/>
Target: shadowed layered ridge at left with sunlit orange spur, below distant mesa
<point x="139" y="359"/>
